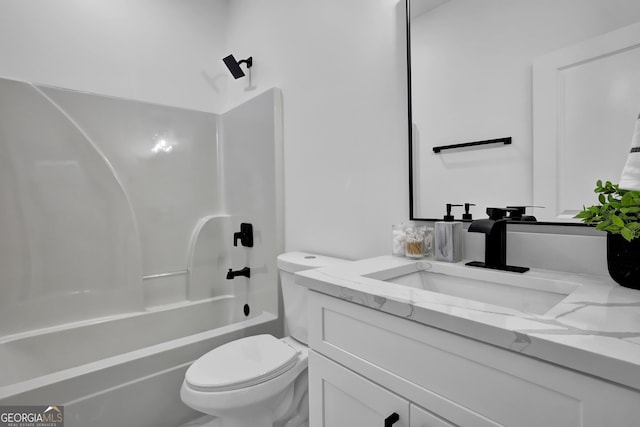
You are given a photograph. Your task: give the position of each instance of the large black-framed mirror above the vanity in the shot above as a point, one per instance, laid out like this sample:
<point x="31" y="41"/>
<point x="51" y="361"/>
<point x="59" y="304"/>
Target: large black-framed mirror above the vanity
<point x="532" y="78"/>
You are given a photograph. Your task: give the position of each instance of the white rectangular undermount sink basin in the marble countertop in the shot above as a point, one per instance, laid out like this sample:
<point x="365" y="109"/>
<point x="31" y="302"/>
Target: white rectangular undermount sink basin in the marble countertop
<point x="525" y="292"/>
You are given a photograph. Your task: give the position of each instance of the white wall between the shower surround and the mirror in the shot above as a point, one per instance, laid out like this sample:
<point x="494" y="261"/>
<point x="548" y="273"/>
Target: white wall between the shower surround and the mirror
<point x="342" y="69"/>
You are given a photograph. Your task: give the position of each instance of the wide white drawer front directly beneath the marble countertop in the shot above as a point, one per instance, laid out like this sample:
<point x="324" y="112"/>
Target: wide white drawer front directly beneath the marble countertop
<point x="477" y="384"/>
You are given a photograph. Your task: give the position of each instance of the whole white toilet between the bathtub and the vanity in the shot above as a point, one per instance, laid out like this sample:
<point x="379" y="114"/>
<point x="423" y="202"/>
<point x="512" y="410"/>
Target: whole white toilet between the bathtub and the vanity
<point x="260" y="381"/>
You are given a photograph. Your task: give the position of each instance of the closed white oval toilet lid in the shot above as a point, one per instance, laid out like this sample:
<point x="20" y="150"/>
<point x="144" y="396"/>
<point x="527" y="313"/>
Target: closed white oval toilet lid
<point x="241" y="363"/>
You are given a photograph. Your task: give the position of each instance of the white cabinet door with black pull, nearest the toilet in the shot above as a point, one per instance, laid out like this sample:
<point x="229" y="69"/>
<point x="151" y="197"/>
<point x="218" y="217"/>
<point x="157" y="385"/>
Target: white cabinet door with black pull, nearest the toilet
<point x="339" y="397"/>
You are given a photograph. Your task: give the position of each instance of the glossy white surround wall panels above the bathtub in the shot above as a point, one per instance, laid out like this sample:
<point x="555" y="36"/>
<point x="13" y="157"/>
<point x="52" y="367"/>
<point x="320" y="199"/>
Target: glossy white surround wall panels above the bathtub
<point x="114" y="206"/>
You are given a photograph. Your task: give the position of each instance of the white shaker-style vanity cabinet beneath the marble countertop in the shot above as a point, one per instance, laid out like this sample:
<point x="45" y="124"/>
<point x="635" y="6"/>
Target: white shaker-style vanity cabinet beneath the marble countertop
<point x="365" y="365"/>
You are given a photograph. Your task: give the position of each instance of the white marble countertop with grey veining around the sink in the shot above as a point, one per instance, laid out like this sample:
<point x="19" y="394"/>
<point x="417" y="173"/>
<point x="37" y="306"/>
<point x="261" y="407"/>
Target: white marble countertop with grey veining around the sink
<point x="595" y="329"/>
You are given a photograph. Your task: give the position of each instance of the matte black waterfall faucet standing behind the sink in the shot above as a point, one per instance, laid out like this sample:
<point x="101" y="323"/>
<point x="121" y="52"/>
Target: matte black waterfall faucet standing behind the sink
<point x="495" y="245"/>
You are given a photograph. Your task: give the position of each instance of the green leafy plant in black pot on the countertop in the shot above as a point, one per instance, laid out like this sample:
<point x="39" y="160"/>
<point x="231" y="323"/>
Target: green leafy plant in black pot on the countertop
<point x="619" y="215"/>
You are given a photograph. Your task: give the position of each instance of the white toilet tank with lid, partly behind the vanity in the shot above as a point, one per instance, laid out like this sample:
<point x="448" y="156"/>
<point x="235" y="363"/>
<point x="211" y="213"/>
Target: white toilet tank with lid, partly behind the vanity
<point x="295" y="296"/>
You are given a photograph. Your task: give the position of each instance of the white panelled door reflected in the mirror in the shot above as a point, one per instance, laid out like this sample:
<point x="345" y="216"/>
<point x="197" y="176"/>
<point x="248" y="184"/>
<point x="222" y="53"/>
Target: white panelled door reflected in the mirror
<point x="586" y="102"/>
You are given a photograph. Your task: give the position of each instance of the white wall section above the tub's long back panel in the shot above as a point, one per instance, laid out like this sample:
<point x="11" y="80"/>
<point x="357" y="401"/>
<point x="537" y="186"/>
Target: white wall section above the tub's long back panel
<point x="162" y="51"/>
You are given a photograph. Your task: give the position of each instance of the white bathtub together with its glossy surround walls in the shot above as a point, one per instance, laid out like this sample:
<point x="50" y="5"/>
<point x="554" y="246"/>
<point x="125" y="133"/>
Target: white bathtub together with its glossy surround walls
<point x="118" y="226"/>
